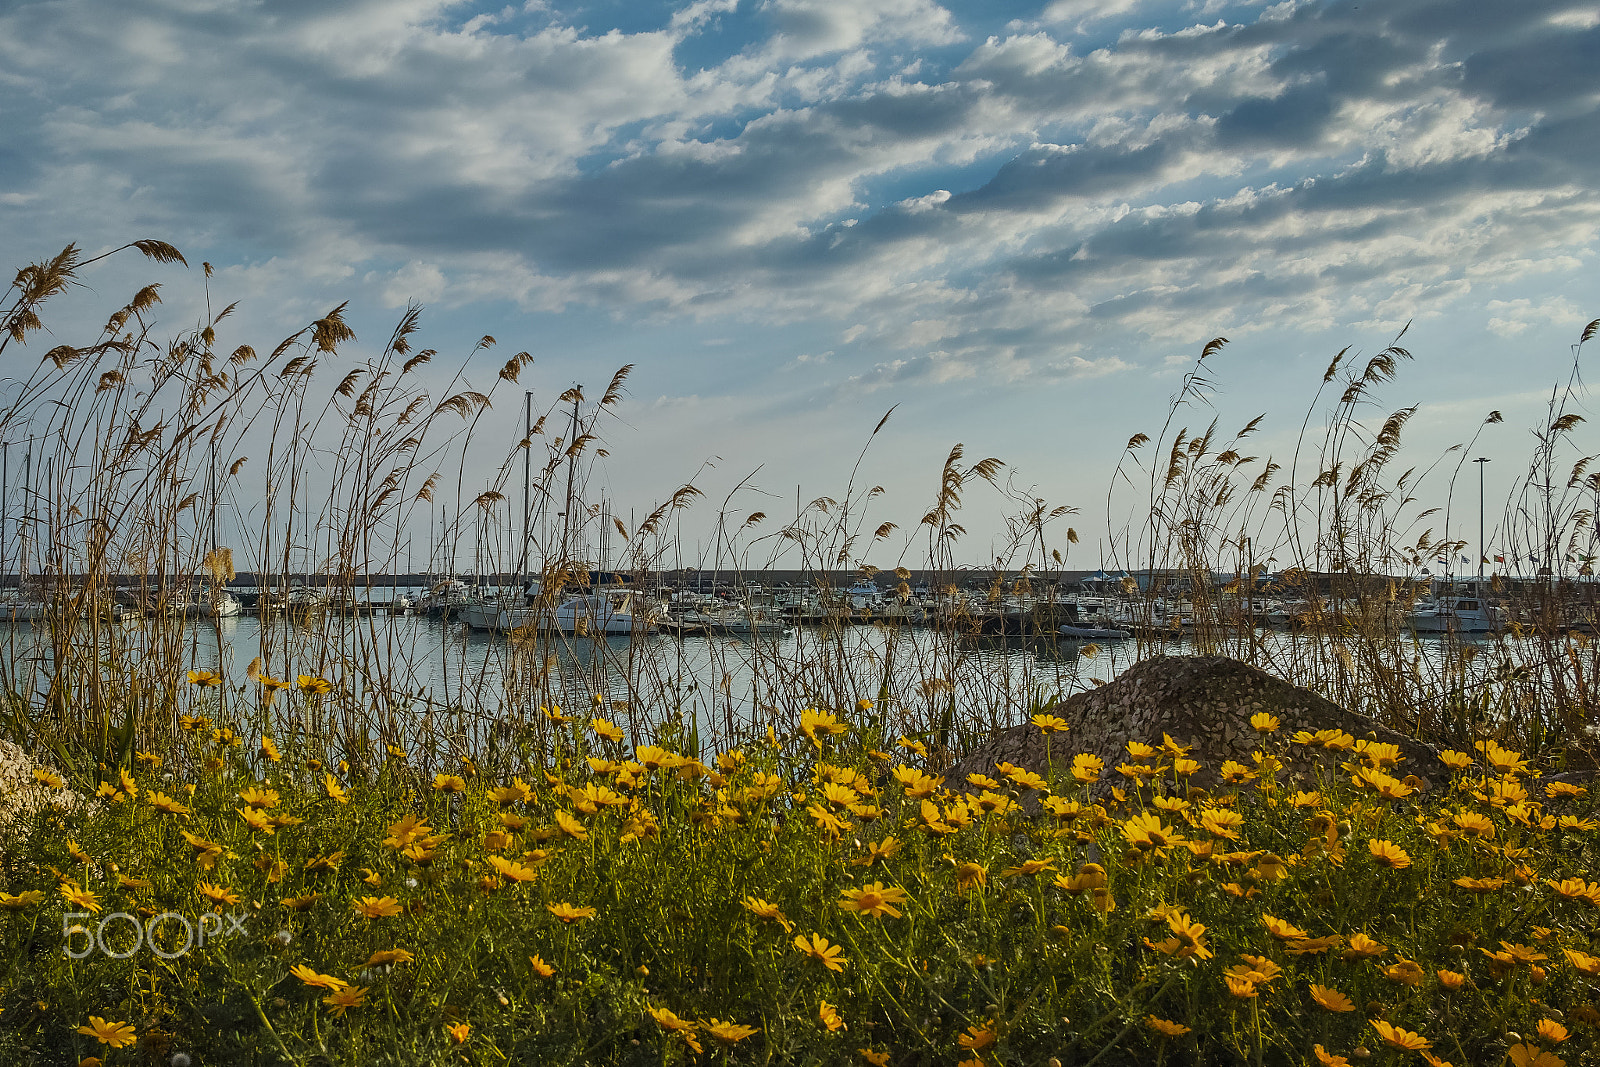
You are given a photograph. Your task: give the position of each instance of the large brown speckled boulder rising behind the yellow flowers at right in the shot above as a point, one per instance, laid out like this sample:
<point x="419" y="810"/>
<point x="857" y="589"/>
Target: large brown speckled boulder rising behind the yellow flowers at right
<point x="1202" y="701"/>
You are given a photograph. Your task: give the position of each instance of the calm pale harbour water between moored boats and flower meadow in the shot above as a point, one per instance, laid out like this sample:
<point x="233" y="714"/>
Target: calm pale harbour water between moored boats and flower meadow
<point x="719" y="685"/>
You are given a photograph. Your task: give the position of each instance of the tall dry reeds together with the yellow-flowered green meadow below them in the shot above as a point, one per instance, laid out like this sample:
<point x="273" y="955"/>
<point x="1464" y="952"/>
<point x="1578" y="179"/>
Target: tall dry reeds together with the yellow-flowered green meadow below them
<point x="412" y="873"/>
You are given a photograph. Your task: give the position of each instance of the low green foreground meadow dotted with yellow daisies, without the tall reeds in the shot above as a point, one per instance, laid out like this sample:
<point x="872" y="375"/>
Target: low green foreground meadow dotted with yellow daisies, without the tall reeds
<point x="822" y="892"/>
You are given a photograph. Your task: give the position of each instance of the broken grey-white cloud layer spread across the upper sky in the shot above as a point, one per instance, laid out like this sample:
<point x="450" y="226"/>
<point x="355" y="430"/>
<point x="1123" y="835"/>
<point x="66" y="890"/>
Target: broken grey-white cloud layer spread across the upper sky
<point x="953" y="204"/>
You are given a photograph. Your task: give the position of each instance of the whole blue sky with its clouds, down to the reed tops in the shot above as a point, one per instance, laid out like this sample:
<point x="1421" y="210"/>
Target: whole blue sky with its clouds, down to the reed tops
<point x="1015" y="225"/>
